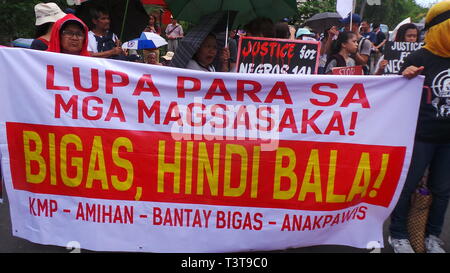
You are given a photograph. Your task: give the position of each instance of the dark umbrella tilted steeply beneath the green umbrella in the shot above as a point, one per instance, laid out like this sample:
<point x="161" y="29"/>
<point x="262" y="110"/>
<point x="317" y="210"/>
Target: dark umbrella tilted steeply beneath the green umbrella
<point x="193" y="39"/>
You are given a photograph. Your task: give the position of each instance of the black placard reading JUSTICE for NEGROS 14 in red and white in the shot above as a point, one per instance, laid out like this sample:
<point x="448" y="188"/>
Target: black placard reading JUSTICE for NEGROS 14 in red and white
<point x="277" y="56"/>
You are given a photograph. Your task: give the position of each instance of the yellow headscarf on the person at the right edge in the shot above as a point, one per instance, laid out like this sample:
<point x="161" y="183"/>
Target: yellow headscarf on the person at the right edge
<point x="437" y="39"/>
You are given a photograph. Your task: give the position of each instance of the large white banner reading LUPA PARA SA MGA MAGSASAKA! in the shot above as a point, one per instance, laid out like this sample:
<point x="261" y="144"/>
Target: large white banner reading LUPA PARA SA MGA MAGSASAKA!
<point x="122" y="156"/>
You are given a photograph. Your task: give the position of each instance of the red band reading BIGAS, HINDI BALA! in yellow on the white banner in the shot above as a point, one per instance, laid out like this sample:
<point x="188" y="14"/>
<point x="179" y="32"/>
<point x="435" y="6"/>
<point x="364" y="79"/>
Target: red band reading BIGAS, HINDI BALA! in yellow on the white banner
<point x="152" y="166"/>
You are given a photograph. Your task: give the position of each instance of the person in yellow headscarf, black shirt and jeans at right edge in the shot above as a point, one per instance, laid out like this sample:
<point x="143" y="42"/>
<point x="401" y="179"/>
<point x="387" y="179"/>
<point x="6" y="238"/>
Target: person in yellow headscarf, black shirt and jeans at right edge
<point x="432" y="141"/>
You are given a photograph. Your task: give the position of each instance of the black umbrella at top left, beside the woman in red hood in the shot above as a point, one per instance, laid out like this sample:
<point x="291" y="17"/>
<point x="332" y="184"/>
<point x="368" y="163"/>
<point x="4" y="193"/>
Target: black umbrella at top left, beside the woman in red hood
<point x="136" y="18"/>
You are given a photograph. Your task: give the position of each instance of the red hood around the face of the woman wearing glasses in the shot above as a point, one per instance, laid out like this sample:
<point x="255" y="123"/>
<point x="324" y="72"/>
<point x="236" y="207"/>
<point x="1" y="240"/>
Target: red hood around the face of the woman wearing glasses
<point x="55" y="42"/>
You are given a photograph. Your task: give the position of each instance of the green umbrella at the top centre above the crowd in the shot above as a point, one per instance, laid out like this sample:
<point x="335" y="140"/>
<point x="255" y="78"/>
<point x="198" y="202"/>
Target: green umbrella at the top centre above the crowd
<point x="194" y="10"/>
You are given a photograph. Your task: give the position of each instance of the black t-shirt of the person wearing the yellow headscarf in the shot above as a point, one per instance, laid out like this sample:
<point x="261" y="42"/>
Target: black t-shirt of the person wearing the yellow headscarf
<point x="434" y="115"/>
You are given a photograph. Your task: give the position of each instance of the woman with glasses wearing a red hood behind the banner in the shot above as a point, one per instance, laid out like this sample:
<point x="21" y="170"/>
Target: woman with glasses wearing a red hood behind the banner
<point x="69" y="35"/>
